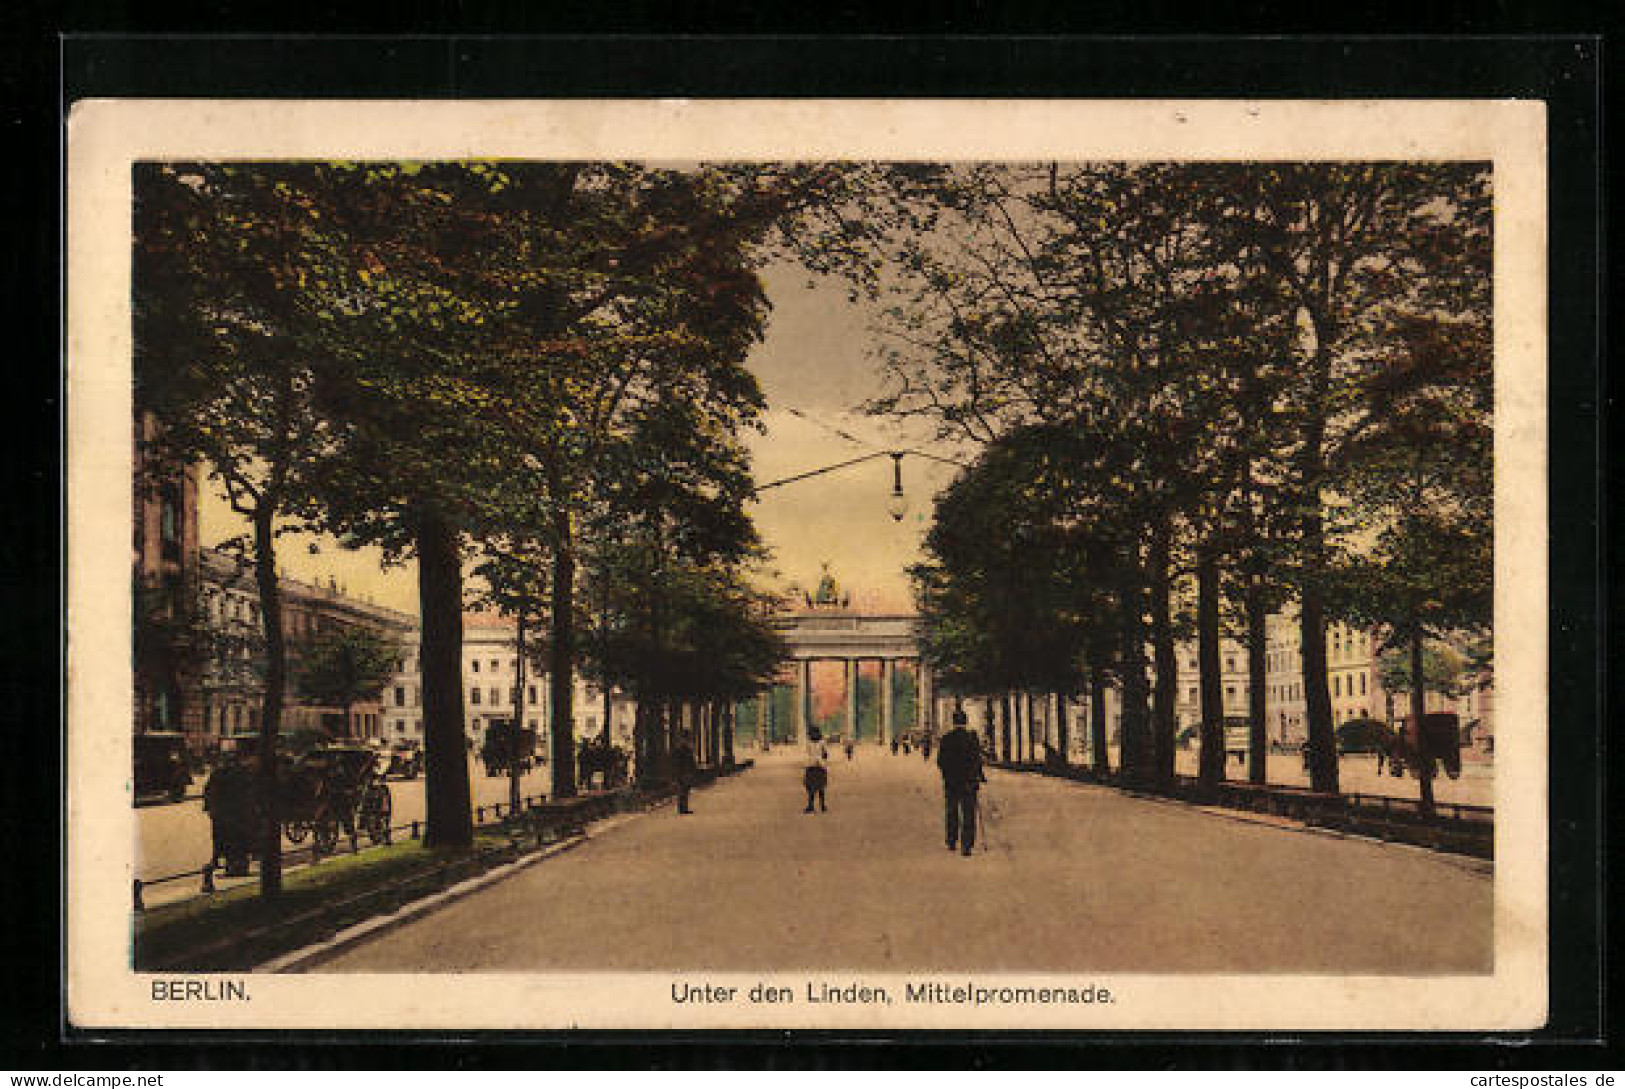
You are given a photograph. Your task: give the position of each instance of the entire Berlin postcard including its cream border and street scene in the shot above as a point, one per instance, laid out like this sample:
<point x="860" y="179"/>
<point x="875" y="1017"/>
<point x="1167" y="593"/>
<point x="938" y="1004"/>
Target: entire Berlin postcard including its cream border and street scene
<point x="1012" y="571"/>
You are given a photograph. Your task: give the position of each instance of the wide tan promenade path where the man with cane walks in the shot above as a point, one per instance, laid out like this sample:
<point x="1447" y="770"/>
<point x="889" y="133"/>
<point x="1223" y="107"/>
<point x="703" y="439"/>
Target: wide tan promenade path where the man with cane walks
<point x="1077" y="879"/>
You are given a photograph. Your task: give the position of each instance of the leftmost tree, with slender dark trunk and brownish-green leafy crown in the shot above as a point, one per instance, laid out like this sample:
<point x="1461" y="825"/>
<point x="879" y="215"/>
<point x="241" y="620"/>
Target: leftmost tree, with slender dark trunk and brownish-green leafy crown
<point x="215" y="272"/>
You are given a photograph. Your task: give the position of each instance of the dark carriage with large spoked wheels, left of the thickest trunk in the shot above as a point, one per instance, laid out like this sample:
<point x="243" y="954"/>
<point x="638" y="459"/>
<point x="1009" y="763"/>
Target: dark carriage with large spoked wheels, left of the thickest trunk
<point x="329" y="789"/>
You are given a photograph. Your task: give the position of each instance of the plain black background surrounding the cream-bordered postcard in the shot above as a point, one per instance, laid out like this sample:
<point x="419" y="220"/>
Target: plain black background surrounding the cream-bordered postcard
<point x="1566" y="72"/>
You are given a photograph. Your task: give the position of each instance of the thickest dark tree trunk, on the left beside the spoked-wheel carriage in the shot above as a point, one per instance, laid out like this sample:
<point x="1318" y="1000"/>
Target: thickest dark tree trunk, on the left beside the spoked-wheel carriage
<point x="448" y="812"/>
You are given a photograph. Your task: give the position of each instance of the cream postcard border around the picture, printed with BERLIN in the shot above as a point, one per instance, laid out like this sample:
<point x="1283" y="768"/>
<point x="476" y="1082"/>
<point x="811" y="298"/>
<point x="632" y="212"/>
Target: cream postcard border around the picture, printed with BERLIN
<point x="106" y="137"/>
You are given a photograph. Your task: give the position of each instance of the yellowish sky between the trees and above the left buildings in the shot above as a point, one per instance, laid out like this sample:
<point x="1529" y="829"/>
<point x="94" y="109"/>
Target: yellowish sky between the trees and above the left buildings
<point x="813" y="360"/>
